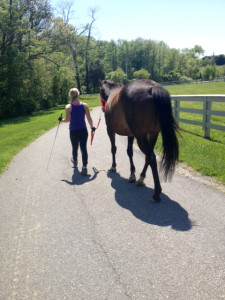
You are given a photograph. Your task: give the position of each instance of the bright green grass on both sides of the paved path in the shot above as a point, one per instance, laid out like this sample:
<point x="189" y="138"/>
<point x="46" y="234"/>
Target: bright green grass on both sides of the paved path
<point x="204" y="155"/>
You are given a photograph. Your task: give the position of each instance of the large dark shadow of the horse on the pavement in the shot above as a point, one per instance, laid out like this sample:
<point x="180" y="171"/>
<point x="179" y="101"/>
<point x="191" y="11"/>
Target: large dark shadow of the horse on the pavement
<point x="137" y="200"/>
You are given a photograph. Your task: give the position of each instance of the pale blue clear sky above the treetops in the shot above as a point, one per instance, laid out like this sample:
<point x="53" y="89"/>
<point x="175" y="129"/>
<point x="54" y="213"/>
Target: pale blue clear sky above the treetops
<point x="179" y="23"/>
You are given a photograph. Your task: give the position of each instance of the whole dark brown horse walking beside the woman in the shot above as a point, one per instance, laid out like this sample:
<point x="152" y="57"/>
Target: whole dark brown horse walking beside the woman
<point x="141" y="109"/>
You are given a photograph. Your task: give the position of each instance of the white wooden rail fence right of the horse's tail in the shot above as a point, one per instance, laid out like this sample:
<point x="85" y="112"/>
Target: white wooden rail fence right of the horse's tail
<point x="207" y="111"/>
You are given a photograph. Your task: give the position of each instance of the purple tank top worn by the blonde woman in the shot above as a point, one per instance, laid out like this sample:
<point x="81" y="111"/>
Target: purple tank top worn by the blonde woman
<point x="77" y="120"/>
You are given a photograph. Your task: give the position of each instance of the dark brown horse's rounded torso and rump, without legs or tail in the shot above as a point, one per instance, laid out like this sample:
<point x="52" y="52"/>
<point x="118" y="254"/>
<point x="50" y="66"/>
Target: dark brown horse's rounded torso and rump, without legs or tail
<point x="131" y="110"/>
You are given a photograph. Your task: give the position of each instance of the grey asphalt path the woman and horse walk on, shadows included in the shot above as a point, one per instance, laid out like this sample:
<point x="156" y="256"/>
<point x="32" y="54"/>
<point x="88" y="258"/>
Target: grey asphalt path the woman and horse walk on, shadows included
<point x="65" y="236"/>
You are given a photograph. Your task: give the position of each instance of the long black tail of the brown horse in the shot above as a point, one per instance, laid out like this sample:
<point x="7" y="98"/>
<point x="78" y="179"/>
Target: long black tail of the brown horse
<point x="168" y="127"/>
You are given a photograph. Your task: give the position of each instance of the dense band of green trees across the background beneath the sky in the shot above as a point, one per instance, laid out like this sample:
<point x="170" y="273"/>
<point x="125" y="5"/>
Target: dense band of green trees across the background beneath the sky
<point x="42" y="56"/>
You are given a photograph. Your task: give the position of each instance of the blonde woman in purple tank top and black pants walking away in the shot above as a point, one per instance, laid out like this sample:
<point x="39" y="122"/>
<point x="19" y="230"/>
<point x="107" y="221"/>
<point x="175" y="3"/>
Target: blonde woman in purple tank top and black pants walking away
<point x="75" y="114"/>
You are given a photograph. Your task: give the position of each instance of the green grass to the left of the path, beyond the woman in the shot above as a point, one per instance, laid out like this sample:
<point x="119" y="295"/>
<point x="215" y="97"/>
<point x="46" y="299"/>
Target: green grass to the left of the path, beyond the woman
<point x="17" y="133"/>
